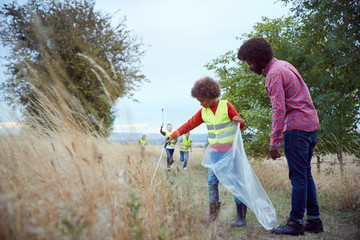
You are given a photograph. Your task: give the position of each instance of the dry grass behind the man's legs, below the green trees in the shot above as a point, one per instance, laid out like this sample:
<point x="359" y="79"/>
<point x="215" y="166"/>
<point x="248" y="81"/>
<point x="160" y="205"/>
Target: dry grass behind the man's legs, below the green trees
<point x="341" y="192"/>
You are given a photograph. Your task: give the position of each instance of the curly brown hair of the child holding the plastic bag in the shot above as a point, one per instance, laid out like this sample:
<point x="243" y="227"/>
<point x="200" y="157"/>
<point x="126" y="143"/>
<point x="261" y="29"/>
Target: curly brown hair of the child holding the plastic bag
<point x="206" y="87"/>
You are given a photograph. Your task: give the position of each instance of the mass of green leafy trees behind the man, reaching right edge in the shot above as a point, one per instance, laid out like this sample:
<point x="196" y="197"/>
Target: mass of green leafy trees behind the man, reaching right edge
<point x="328" y="63"/>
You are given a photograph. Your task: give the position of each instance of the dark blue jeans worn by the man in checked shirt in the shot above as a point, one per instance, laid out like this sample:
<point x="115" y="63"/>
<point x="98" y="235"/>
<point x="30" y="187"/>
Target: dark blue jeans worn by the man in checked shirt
<point x="299" y="147"/>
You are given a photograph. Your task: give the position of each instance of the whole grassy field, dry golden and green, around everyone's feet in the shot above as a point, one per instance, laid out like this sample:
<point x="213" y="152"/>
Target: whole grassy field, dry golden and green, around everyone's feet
<point x="70" y="185"/>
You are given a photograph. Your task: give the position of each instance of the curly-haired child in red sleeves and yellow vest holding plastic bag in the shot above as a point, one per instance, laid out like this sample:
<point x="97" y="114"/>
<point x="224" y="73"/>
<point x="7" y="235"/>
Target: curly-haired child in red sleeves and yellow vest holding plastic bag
<point x="216" y="114"/>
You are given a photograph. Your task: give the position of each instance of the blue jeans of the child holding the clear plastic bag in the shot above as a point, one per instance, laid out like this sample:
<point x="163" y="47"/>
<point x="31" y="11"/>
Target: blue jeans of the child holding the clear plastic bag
<point x="213" y="181"/>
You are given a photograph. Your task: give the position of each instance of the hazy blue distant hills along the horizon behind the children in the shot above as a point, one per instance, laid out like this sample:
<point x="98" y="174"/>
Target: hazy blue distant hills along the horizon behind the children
<point x="154" y="138"/>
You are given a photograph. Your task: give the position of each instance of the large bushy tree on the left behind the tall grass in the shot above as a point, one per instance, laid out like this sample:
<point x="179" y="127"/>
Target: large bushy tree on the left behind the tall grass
<point x="69" y="46"/>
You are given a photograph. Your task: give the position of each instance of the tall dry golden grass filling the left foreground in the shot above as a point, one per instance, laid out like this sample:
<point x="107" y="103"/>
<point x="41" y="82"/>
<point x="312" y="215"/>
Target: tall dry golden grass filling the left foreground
<point x="81" y="186"/>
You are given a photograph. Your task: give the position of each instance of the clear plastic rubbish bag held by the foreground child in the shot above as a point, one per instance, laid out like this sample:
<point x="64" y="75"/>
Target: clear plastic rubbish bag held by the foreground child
<point x="235" y="174"/>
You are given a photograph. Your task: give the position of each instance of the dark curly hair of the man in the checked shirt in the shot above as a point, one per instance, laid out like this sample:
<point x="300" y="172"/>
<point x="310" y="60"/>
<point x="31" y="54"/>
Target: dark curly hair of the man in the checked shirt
<point x="256" y="50"/>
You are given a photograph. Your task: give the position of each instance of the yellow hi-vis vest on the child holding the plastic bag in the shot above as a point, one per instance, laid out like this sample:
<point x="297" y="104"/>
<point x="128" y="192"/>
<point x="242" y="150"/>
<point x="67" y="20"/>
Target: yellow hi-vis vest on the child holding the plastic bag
<point x="220" y="127"/>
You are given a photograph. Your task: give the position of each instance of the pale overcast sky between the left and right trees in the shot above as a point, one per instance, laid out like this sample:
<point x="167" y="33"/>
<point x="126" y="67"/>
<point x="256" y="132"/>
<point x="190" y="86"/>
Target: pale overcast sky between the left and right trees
<point x="180" y="37"/>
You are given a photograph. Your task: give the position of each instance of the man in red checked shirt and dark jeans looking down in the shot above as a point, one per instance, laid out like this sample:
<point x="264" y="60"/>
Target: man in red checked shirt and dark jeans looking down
<point x="294" y="119"/>
